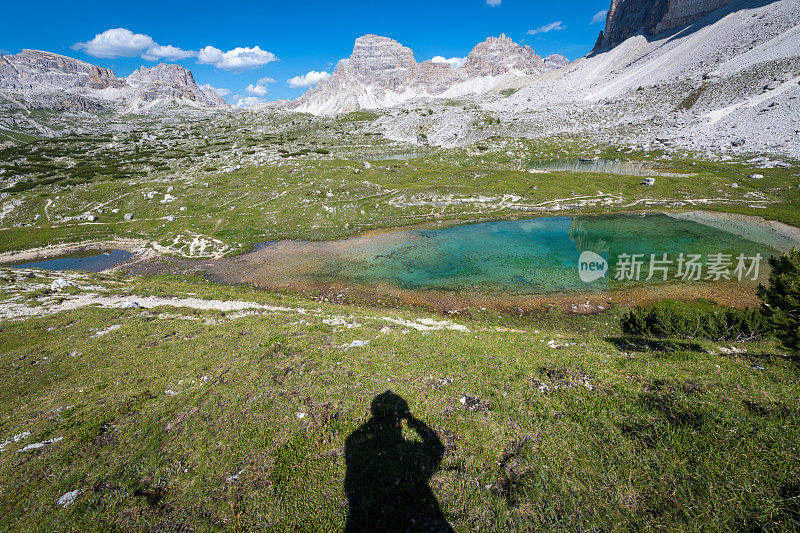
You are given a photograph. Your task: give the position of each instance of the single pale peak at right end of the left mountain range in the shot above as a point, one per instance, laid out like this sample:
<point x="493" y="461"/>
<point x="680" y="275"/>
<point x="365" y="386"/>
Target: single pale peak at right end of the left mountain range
<point x="163" y="81"/>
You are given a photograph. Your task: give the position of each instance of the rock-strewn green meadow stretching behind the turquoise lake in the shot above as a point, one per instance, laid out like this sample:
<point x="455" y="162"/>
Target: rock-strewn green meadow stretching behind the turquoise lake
<point x="311" y="188"/>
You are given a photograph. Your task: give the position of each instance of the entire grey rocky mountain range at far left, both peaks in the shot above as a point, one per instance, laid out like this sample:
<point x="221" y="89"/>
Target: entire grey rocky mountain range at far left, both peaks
<point x="46" y="77"/>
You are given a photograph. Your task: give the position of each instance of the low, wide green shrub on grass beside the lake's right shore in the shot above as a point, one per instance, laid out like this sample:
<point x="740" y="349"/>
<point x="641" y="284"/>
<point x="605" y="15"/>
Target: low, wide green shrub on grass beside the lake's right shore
<point x="701" y="319"/>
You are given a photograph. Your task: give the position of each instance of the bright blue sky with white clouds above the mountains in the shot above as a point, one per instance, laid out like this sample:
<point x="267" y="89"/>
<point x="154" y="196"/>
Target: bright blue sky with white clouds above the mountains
<point x="217" y="41"/>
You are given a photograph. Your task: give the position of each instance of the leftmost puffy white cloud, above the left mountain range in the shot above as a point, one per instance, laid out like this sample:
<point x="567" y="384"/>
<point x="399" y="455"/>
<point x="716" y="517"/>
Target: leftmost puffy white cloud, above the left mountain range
<point x="121" y="42"/>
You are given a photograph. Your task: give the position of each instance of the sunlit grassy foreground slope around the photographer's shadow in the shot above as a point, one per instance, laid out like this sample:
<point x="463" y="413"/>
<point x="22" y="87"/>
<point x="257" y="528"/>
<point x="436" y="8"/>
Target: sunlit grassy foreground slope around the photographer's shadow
<point x="671" y="438"/>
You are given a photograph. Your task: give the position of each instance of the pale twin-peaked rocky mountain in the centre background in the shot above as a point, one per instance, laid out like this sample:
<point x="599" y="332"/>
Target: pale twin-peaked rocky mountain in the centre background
<point x="381" y="72"/>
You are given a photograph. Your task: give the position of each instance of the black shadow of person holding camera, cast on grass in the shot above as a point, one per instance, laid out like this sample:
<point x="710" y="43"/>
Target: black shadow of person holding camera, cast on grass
<point x="387" y="476"/>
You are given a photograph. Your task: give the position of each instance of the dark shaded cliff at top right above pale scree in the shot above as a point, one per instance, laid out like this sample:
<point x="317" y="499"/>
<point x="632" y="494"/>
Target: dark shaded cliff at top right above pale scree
<point x="651" y="17"/>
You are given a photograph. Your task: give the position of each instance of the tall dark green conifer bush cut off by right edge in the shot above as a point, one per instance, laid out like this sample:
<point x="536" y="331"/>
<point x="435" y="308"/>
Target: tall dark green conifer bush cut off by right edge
<point x="781" y="298"/>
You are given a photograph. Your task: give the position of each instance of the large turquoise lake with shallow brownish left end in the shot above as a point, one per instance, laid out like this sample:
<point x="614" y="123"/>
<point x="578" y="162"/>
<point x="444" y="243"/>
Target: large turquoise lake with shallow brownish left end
<point x="522" y="258"/>
